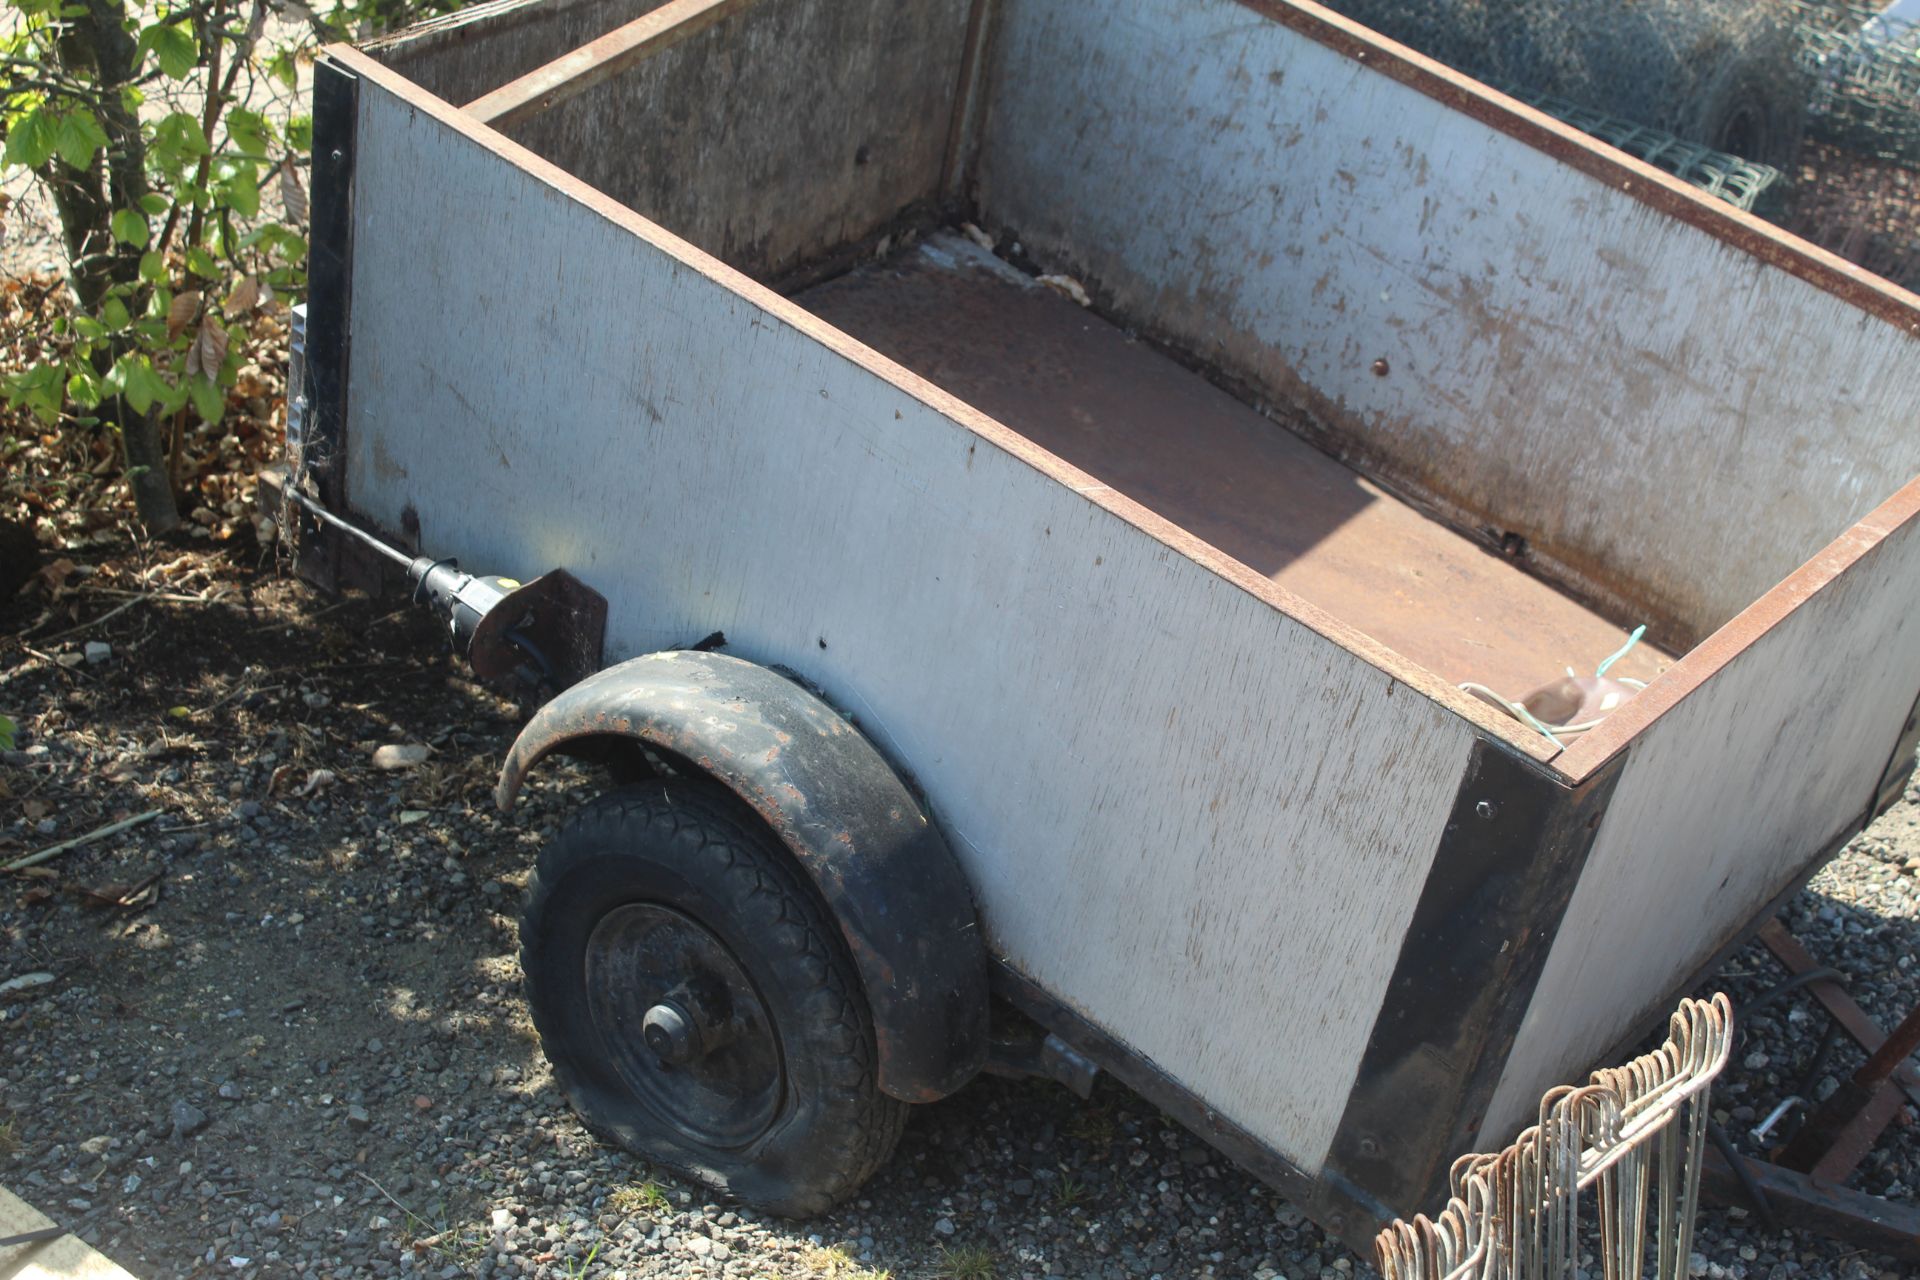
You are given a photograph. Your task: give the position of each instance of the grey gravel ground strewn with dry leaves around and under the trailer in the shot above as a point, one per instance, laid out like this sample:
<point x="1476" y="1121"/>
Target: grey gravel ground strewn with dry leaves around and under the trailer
<point x="308" y="1053"/>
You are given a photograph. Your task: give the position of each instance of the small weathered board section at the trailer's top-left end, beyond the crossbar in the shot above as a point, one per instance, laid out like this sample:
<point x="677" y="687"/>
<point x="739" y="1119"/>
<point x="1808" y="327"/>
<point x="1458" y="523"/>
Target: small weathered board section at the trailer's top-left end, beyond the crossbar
<point x="479" y="49"/>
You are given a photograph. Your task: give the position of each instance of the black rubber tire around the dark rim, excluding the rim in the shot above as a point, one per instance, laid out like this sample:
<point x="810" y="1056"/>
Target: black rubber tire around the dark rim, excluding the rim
<point x="692" y="847"/>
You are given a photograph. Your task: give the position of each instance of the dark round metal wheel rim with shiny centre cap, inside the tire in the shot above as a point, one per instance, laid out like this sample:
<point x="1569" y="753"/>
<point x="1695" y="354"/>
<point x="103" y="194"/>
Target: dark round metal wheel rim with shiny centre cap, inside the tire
<point x="683" y="1024"/>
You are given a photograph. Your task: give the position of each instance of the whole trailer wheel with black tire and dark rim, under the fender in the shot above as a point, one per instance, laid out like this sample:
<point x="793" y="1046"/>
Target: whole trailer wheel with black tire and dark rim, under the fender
<point x="698" y="1003"/>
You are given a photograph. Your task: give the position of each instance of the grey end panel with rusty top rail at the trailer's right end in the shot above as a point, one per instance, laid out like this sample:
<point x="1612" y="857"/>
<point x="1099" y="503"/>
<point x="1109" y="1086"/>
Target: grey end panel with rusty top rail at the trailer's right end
<point x="1773" y="753"/>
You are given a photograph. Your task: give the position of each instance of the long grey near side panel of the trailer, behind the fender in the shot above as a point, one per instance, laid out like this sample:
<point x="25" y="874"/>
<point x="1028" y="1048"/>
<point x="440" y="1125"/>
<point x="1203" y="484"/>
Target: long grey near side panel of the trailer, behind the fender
<point x="1201" y="822"/>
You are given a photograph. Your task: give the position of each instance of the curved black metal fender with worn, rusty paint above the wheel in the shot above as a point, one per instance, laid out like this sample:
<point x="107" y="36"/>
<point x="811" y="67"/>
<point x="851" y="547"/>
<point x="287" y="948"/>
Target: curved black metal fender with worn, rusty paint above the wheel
<point x="852" y="824"/>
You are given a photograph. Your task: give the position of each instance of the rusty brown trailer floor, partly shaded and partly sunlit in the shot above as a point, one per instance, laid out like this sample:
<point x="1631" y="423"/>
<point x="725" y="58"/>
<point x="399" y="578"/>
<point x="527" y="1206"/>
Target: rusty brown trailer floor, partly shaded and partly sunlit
<point x="1180" y="446"/>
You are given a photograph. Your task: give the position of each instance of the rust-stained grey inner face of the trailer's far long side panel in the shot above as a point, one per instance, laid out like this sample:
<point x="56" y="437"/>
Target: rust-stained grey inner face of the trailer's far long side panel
<point x="1514" y="339"/>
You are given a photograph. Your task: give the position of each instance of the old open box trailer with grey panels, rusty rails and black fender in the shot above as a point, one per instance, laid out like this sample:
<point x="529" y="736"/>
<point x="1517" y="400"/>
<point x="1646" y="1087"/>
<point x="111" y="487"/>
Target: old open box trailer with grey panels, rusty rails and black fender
<point x="1032" y="485"/>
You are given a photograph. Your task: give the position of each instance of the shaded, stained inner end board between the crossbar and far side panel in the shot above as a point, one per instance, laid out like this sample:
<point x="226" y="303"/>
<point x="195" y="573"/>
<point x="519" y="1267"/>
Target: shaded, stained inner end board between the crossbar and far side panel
<point x="780" y="133"/>
